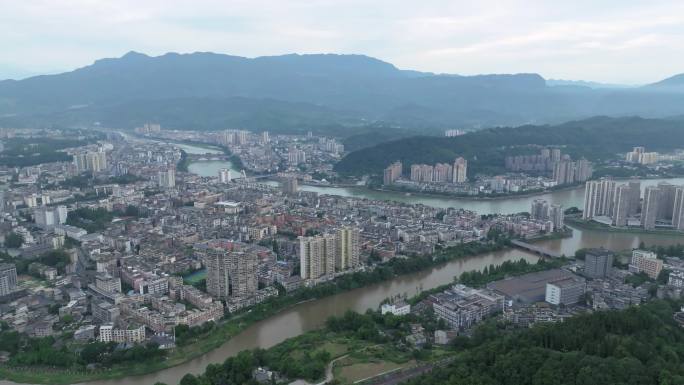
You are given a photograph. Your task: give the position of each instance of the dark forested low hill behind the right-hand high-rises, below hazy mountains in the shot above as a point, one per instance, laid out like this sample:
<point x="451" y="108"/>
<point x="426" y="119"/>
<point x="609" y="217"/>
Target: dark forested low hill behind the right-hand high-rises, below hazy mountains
<point x="485" y="150"/>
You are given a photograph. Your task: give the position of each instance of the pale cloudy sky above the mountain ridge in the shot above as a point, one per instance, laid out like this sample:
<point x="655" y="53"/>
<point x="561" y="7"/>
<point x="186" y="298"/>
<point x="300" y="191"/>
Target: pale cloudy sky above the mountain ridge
<point x="624" y="42"/>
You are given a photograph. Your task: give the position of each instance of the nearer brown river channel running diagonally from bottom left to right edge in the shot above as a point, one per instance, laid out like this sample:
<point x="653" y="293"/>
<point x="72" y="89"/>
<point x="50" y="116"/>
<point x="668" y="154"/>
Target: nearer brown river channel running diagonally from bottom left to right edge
<point x="311" y="315"/>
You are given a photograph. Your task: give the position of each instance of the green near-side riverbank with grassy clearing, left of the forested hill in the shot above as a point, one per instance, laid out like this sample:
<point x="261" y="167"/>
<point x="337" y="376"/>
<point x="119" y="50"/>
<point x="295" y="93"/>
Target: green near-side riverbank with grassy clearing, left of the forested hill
<point x="316" y="356"/>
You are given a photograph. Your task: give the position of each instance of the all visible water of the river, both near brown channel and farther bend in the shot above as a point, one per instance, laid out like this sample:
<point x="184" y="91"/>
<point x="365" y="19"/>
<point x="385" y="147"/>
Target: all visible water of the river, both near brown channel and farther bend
<point x="310" y="315"/>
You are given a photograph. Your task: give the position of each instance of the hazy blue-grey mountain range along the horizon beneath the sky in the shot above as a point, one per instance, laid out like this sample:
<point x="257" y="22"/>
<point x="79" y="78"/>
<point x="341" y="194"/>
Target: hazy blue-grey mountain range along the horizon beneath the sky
<point x="214" y="91"/>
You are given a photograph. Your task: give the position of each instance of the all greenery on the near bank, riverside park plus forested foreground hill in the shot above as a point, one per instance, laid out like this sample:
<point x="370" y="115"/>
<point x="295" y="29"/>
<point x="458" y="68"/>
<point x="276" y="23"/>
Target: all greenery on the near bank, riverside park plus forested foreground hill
<point x="639" y="345"/>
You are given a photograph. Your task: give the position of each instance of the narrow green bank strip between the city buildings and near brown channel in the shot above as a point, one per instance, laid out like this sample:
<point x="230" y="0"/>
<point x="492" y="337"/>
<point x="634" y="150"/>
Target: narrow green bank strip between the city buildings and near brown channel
<point x="228" y="329"/>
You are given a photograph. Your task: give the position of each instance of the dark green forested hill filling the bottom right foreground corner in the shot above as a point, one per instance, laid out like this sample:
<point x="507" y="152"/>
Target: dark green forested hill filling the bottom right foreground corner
<point x="639" y="346"/>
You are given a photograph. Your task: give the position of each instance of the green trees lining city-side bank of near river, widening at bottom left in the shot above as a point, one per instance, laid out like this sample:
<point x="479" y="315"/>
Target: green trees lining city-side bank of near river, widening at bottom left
<point x="66" y="366"/>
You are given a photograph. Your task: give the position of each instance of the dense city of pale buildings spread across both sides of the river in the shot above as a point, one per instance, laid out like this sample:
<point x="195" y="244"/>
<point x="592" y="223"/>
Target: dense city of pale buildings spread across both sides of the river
<point x="126" y="252"/>
